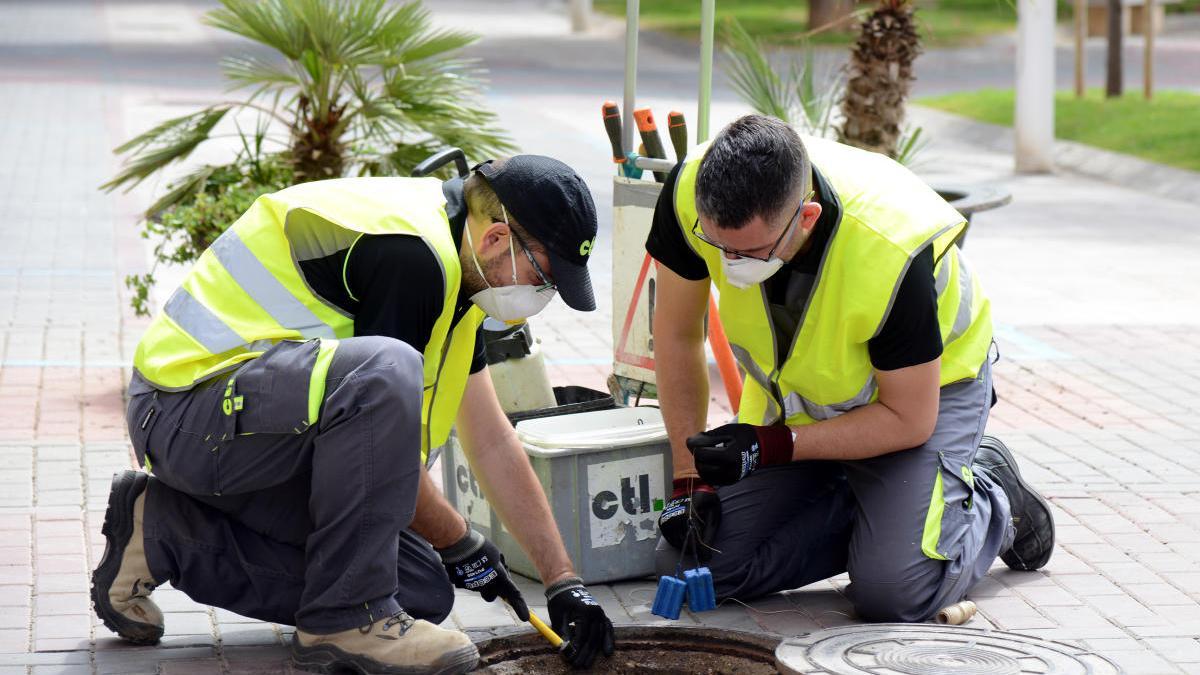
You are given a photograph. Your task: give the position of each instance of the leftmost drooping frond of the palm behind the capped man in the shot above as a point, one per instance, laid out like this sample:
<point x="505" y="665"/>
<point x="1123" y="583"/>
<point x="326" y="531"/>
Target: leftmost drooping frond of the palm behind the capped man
<point x="171" y="141"/>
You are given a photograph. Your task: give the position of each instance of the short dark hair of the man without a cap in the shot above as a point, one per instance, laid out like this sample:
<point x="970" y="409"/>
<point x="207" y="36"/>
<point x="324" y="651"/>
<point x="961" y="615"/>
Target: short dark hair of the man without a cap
<point x="754" y="168"/>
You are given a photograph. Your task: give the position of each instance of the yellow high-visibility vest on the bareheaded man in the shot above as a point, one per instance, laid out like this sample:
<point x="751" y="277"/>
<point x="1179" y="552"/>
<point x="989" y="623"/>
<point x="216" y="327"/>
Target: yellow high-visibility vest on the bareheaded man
<point x="889" y="217"/>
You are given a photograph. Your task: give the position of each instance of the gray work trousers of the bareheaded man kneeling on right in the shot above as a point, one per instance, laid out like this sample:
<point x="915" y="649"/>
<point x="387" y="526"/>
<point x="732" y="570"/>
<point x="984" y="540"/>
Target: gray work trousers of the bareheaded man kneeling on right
<point x="788" y="527"/>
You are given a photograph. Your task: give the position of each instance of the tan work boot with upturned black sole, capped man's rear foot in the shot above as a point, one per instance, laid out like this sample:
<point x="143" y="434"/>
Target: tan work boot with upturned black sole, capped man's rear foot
<point x="122" y="584"/>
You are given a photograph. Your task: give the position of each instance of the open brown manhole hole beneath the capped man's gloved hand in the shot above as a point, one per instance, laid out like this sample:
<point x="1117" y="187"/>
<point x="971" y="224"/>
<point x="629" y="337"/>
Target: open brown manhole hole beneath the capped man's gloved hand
<point x="650" y="650"/>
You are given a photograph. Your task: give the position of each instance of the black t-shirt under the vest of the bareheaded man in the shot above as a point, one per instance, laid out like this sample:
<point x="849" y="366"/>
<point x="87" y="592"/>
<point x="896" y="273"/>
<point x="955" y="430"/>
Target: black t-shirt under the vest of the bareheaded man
<point x="911" y="334"/>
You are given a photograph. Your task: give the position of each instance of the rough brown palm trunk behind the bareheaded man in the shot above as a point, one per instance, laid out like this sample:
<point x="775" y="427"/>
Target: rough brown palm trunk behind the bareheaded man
<point x="880" y="80"/>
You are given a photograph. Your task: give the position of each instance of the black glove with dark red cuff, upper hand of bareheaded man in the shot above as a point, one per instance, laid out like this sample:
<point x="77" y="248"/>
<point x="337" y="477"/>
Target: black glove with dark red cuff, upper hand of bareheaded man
<point x="730" y="453"/>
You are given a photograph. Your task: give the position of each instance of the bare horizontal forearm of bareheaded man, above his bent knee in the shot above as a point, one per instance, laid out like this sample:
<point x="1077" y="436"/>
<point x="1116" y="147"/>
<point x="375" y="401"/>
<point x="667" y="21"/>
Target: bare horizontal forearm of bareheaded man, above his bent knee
<point x="863" y="433"/>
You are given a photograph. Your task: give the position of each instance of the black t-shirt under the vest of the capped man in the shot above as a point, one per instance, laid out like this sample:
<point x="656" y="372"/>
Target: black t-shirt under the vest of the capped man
<point x="393" y="284"/>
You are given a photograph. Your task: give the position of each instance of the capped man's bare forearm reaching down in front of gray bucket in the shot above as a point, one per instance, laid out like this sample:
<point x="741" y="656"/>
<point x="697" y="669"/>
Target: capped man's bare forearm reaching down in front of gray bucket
<point x="514" y="492"/>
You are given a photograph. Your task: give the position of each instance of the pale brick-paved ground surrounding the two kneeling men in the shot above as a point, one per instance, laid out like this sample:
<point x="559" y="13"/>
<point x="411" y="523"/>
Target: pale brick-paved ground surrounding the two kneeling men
<point x="1095" y="290"/>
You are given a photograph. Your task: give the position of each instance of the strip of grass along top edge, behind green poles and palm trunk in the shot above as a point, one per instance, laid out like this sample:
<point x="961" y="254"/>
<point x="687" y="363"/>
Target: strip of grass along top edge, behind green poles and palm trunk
<point x="784" y="22"/>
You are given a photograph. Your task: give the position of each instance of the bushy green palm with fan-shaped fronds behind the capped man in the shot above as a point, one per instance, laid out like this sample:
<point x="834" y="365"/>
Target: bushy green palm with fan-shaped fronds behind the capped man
<point x="364" y="87"/>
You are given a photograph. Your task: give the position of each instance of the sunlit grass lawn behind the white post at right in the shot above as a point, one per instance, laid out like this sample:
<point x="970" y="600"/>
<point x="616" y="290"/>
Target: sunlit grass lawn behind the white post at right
<point x="1165" y="130"/>
